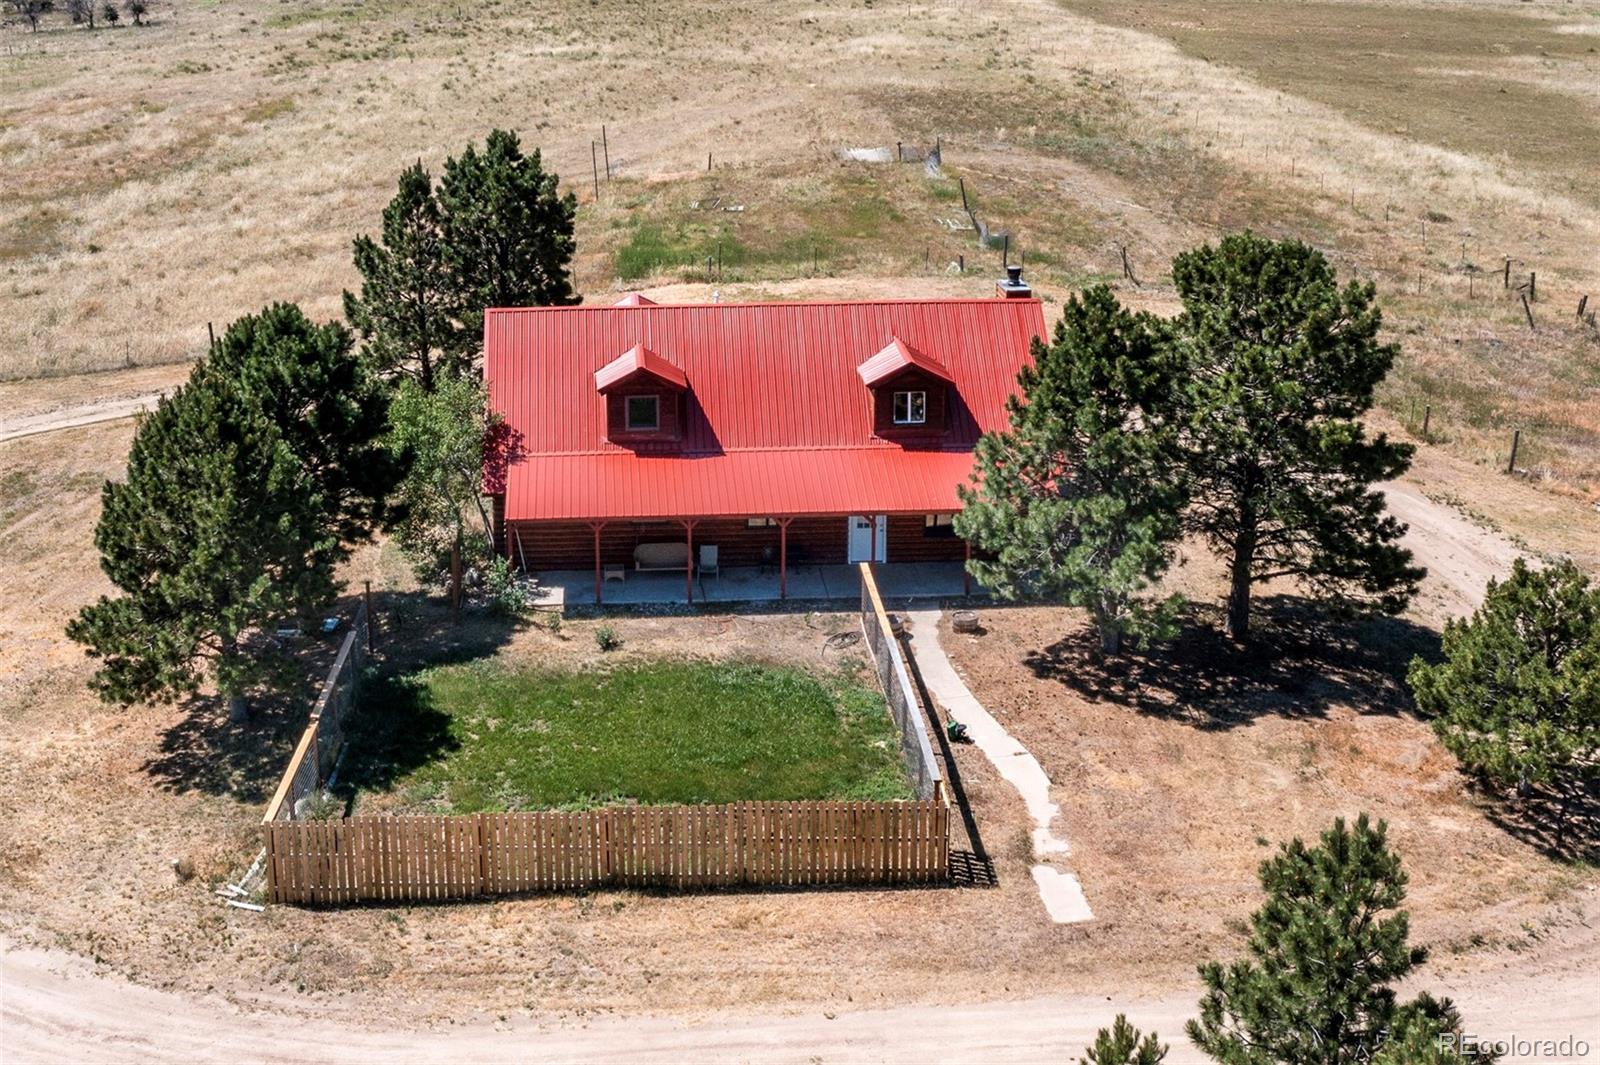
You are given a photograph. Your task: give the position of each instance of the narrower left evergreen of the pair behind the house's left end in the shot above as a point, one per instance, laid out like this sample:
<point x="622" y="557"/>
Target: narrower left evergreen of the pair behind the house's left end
<point x="404" y="313"/>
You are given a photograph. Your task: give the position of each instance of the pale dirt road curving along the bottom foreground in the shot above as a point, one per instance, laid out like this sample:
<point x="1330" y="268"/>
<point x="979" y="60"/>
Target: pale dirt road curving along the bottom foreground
<point x="58" y="1010"/>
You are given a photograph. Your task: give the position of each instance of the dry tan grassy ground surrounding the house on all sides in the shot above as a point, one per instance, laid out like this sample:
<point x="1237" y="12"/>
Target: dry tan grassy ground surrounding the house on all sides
<point x="166" y="177"/>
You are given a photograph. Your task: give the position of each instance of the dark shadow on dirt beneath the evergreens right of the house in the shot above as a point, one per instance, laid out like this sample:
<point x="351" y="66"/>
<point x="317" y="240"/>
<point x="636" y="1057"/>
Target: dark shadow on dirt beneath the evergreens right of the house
<point x="1298" y="663"/>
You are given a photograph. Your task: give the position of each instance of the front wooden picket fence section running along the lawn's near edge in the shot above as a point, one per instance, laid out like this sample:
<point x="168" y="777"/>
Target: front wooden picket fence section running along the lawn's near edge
<point x="465" y="856"/>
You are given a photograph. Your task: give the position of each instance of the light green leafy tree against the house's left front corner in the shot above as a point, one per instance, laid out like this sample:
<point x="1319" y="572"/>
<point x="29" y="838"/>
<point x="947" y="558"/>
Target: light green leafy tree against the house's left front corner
<point x="444" y="441"/>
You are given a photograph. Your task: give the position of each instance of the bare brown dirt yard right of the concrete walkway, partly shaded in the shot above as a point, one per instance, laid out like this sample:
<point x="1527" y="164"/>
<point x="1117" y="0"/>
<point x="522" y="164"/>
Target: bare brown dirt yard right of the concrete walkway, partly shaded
<point x="1180" y="775"/>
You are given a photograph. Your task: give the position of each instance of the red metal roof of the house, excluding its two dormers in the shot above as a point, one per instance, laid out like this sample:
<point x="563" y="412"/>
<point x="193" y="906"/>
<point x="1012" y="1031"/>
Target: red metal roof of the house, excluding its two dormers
<point x="777" y="418"/>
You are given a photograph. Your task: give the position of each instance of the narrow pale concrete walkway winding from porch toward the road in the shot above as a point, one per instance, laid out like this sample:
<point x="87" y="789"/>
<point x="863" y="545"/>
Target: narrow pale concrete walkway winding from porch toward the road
<point x="1060" y="888"/>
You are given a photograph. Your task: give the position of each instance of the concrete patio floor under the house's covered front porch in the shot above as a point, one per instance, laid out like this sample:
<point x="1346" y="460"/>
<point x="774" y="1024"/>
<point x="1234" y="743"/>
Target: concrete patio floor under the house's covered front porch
<point x="751" y="584"/>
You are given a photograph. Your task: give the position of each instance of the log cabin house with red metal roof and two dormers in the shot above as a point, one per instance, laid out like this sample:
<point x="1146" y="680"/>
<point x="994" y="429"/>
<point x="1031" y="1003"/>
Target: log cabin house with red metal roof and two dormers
<point x="772" y="434"/>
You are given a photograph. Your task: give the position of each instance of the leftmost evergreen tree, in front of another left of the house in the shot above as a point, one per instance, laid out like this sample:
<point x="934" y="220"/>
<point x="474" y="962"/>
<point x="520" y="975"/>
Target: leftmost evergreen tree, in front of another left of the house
<point x="214" y="533"/>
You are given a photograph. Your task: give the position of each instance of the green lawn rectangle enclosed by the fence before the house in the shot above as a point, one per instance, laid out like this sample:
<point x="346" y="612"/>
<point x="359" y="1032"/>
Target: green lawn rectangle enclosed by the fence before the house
<point x="486" y="736"/>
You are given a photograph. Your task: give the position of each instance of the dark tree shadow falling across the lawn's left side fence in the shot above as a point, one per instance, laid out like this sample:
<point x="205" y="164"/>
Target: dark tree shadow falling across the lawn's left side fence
<point x="206" y="752"/>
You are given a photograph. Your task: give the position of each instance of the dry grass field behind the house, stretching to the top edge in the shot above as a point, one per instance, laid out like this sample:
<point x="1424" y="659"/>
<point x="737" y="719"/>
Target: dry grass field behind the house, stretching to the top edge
<point x="166" y="177"/>
